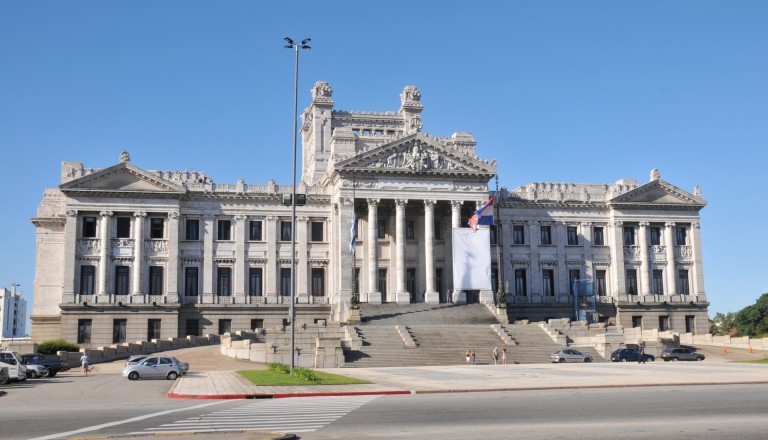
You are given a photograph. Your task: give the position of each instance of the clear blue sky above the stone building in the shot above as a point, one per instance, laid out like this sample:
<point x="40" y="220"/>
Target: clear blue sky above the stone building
<point x="588" y="91"/>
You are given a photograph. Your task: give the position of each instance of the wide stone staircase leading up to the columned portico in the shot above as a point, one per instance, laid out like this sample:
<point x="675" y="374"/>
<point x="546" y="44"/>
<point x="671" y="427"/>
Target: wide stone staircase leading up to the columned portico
<point x="421" y="335"/>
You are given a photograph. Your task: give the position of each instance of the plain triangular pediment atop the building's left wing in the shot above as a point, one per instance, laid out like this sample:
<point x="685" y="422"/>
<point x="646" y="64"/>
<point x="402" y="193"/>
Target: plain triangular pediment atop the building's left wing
<point x="122" y="178"/>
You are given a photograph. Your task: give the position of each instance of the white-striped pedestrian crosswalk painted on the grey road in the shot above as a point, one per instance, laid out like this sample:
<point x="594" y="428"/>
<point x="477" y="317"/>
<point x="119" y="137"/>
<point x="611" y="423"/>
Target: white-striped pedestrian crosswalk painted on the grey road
<point x="304" y="414"/>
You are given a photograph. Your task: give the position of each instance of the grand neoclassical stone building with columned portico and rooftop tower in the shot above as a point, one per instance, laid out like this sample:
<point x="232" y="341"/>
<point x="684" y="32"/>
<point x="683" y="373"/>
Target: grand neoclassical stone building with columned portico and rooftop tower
<point x="126" y="254"/>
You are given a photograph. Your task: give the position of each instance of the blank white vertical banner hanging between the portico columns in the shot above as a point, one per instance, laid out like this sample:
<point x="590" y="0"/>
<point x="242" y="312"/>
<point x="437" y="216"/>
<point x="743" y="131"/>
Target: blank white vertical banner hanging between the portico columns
<point x="471" y="259"/>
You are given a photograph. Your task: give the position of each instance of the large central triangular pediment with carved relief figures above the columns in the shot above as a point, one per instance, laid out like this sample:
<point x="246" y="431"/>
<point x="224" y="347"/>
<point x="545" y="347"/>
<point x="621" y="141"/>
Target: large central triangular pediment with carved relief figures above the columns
<point x="417" y="154"/>
